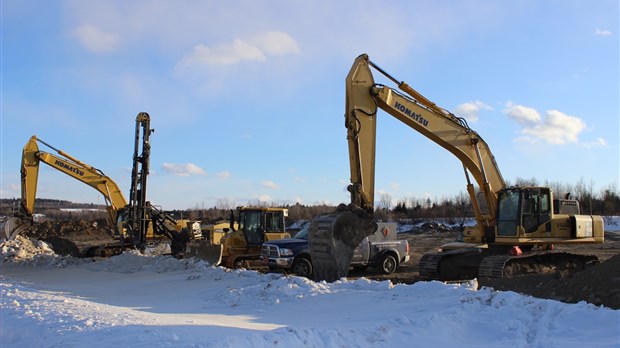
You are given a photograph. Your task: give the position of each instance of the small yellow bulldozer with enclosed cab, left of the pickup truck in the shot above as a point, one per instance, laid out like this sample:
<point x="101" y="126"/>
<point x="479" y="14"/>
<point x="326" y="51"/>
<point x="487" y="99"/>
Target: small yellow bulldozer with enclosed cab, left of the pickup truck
<point x="255" y="226"/>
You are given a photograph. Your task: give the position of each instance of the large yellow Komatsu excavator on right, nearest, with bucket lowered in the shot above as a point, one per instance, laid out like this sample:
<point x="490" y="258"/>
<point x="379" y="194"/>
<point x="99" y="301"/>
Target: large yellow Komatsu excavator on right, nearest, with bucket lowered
<point x="516" y="226"/>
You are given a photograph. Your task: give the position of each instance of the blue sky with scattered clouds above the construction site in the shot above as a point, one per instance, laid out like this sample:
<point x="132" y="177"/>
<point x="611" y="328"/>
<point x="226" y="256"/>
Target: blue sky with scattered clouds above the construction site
<point x="247" y="97"/>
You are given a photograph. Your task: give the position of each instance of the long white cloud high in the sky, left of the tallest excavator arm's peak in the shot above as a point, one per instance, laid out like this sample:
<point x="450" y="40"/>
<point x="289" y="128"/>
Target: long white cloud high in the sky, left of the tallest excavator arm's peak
<point x="258" y="48"/>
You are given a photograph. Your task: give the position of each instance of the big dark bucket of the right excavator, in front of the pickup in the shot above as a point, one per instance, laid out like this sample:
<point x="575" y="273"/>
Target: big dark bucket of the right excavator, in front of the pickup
<point x="332" y="239"/>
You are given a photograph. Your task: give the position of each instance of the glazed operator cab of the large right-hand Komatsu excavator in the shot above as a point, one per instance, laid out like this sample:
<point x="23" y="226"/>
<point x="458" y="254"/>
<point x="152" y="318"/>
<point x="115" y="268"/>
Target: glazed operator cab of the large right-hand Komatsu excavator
<point x="522" y="210"/>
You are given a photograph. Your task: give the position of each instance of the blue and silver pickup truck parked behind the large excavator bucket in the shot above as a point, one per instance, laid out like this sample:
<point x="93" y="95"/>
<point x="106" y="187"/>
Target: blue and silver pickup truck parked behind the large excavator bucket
<point x="381" y="249"/>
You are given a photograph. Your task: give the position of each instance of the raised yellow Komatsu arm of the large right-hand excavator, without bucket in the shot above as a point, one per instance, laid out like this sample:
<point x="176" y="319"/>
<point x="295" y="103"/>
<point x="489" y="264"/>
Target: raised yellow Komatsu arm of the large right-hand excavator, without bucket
<point x="363" y="99"/>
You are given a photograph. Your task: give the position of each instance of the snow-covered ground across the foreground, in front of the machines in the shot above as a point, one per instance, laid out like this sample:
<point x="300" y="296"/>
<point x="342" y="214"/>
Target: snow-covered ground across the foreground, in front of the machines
<point x="157" y="301"/>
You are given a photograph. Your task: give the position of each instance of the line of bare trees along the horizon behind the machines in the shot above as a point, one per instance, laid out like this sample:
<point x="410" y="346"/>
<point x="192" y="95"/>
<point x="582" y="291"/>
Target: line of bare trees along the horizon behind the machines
<point x="605" y="202"/>
